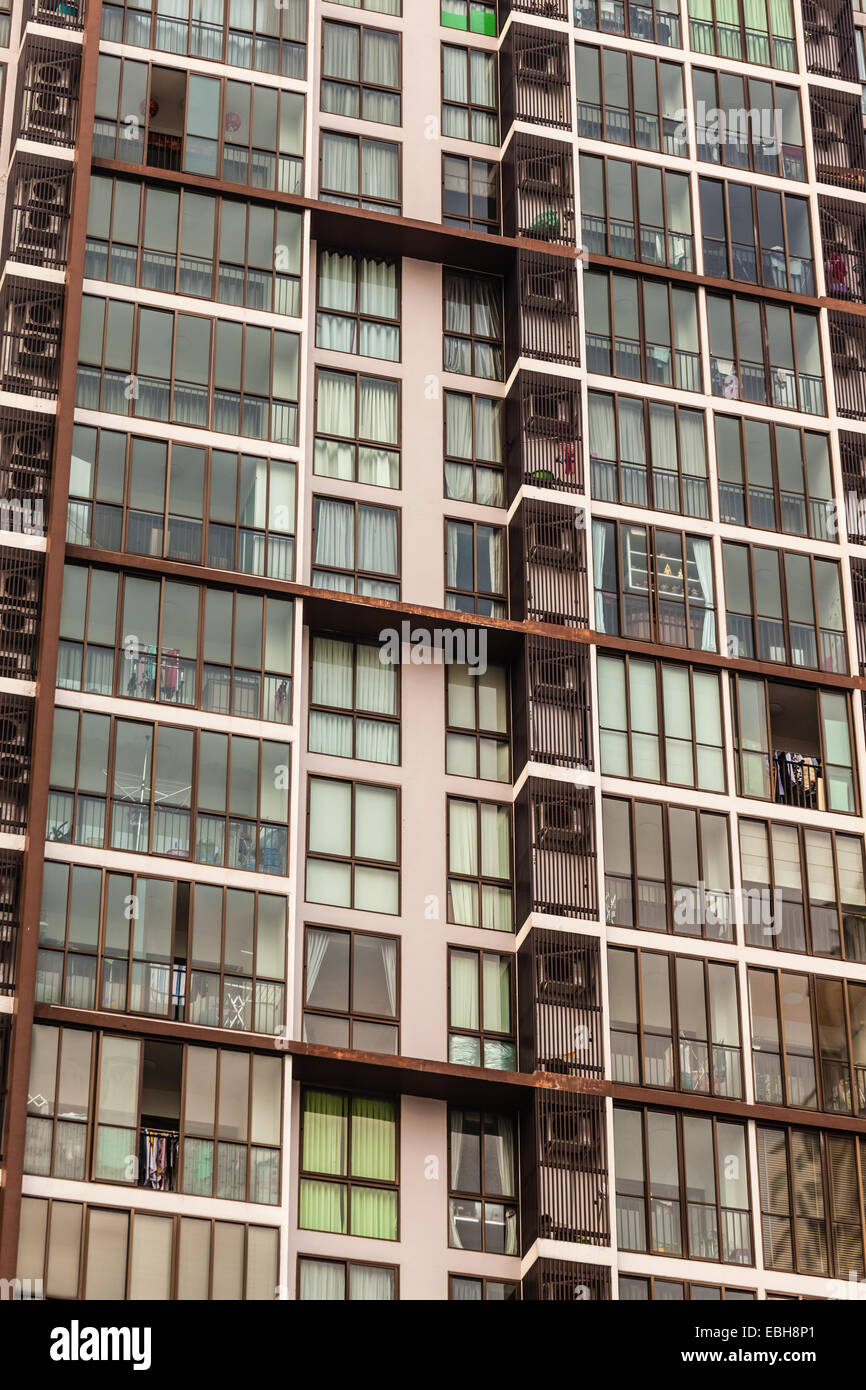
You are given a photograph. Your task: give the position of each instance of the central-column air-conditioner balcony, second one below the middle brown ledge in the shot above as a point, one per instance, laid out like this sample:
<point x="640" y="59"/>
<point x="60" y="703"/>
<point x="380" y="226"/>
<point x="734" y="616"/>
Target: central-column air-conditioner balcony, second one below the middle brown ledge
<point x="557" y="860"/>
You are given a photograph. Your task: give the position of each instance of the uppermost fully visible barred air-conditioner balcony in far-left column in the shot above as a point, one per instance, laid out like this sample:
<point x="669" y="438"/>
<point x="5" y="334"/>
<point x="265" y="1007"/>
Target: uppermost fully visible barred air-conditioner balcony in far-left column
<point x="48" y="94"/>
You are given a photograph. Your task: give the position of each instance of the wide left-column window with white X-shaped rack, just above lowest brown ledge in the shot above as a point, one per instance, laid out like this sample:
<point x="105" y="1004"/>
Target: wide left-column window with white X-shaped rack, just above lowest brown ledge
<point x="136" y="945"/>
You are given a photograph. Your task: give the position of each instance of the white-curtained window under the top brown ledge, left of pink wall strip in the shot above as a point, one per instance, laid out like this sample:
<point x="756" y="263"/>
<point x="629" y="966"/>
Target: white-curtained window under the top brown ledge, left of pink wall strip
<point x="359" y="306"/>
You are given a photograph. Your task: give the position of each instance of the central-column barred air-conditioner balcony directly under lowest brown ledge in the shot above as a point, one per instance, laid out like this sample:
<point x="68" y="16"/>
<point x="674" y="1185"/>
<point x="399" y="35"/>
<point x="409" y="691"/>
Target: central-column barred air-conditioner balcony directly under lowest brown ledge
<point x="565" y="1170"/>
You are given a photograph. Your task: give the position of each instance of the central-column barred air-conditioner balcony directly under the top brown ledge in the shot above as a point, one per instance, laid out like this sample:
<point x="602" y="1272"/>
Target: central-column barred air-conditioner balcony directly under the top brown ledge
<point x="541" y="306"/>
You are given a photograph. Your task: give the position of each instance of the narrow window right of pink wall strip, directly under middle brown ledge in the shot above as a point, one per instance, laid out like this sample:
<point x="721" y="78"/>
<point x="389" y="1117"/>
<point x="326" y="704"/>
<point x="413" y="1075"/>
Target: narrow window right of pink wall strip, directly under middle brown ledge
<point x="477" y="722"/>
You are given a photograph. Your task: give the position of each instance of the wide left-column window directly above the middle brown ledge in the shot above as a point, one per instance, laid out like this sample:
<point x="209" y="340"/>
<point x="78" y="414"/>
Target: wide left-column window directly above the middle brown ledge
<point x="148" y="497"/>
